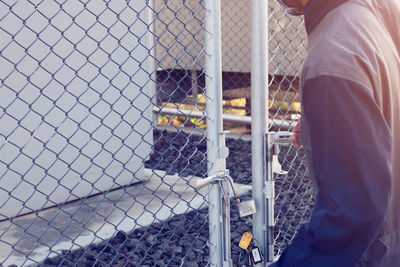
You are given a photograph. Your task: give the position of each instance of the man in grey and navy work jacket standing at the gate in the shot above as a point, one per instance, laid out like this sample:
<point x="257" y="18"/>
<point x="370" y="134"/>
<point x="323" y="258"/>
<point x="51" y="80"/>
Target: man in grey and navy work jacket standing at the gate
<point x="350" y="129"/>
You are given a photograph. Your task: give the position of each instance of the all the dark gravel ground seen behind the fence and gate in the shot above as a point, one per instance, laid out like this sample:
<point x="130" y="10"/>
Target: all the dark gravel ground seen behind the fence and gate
<point x="182" y="240"/>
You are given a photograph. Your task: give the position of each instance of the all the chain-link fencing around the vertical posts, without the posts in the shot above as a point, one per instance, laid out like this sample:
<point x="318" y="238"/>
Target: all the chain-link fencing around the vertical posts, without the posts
<point x="103" y="130"/>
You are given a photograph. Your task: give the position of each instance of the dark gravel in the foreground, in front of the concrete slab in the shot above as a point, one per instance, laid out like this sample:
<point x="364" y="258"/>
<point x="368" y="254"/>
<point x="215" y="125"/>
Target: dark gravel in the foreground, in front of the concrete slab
<point x="180" y="241"/>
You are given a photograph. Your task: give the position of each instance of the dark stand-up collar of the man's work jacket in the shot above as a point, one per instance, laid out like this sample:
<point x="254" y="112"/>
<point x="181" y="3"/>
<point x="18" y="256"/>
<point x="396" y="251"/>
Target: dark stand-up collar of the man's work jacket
<point x="316" y="10"/>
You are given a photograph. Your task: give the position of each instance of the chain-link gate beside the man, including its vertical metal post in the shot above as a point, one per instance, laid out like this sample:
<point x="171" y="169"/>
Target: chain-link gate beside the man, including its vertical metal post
<point x="281" y="186"/>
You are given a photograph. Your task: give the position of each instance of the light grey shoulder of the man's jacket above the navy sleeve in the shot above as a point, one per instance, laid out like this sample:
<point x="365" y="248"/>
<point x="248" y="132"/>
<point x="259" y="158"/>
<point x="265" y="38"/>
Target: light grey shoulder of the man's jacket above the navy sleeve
<point x="340" y="44"/>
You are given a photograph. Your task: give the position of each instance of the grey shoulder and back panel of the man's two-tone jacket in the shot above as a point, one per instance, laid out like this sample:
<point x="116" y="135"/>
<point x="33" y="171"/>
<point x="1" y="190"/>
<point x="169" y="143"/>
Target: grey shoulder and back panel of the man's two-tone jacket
<point x="359" y="41"/>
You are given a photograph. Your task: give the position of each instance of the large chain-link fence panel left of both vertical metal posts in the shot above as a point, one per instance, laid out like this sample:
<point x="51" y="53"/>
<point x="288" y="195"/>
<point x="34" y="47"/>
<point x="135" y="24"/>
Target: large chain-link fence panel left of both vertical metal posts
<point x="87" y="177"/>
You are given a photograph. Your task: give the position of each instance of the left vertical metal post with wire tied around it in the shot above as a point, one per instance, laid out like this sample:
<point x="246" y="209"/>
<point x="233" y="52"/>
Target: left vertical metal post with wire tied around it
<point x="213" y="74"/>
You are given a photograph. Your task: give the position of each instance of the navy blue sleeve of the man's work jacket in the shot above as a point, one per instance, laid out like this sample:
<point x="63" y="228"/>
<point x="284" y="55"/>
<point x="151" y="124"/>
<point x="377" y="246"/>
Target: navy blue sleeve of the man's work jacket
<point x="351" y="148"/>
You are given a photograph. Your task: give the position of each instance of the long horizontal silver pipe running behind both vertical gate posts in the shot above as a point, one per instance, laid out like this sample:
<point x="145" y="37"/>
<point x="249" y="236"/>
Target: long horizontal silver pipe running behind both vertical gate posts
<point x="282" y="124"/>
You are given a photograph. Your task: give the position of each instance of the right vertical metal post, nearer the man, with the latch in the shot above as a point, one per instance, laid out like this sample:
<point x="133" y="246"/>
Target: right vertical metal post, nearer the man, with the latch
<point x="259" y="93"/>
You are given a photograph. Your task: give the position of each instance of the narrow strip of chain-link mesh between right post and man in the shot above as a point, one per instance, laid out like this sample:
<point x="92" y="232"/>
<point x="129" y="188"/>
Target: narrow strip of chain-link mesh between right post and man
<point x="293" y="192"/>
